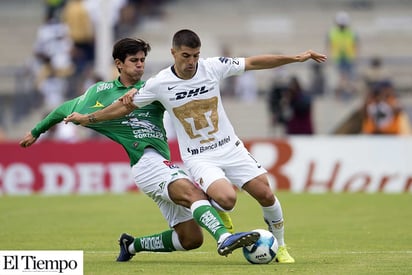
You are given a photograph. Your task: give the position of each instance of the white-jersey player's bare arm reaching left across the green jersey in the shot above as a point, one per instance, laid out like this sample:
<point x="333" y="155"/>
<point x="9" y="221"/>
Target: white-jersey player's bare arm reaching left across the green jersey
<point x="115" y="110"/>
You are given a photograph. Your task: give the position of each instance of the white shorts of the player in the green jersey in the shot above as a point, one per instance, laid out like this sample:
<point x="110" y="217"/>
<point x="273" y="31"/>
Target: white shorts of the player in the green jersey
<point x="152" y="175"/>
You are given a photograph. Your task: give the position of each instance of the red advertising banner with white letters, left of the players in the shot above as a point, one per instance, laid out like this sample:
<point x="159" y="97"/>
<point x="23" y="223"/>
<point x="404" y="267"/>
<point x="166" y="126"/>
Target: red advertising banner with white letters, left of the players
<point x="62" y="168"/>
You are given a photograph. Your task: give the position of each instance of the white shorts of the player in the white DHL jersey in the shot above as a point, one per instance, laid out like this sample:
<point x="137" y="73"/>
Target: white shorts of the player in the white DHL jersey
<point x="237" y="166"/>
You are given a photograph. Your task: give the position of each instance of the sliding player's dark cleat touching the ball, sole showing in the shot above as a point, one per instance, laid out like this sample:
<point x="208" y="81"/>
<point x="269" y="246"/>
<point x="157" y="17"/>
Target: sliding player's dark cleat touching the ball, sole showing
<point x="236" y="241"/>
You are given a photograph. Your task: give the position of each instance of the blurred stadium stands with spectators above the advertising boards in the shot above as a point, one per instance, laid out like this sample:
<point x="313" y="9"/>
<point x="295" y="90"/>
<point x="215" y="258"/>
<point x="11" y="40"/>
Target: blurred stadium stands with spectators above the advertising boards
<point x="365" y="88"/>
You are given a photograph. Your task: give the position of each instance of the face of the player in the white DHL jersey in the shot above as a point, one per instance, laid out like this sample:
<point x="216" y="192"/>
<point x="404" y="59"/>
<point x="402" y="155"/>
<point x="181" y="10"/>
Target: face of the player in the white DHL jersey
<point x="186" y="61"/>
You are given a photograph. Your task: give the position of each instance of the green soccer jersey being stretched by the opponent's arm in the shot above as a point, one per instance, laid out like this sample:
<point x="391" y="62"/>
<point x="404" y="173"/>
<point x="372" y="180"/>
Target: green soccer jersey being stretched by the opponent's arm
<point x="141" y="128"/>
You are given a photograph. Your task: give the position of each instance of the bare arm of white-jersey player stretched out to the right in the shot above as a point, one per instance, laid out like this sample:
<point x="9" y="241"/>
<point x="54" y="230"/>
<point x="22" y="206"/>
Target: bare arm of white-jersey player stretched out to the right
<point x="260" y="62"/>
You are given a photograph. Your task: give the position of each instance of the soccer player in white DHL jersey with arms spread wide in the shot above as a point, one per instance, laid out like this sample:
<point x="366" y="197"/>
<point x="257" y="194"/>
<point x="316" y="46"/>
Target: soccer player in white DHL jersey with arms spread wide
<point x="209" y="146"/>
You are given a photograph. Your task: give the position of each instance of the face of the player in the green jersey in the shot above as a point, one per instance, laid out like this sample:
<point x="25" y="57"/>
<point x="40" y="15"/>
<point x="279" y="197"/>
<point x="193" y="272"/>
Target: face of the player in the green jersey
<point x="132" y="69"/>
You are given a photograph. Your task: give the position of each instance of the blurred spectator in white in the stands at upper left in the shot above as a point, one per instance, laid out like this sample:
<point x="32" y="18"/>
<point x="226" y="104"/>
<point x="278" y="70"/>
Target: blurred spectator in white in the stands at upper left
<point x="49" y="69"/>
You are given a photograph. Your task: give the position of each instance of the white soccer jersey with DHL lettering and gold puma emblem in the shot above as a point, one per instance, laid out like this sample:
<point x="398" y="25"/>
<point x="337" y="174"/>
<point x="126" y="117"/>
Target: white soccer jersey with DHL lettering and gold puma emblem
<point x="195" y="105"/>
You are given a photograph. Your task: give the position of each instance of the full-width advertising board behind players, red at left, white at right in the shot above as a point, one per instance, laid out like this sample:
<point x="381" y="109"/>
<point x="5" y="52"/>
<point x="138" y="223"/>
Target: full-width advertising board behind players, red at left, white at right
<point x="297" y="164"/>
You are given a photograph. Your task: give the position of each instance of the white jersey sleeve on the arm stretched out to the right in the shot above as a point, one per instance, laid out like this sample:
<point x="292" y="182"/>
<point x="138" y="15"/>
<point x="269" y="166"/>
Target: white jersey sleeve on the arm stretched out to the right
<point x="224" y="67"/>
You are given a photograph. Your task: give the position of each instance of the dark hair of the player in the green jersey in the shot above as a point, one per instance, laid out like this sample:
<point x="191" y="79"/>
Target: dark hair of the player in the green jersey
<point x="129" y="46"/>
